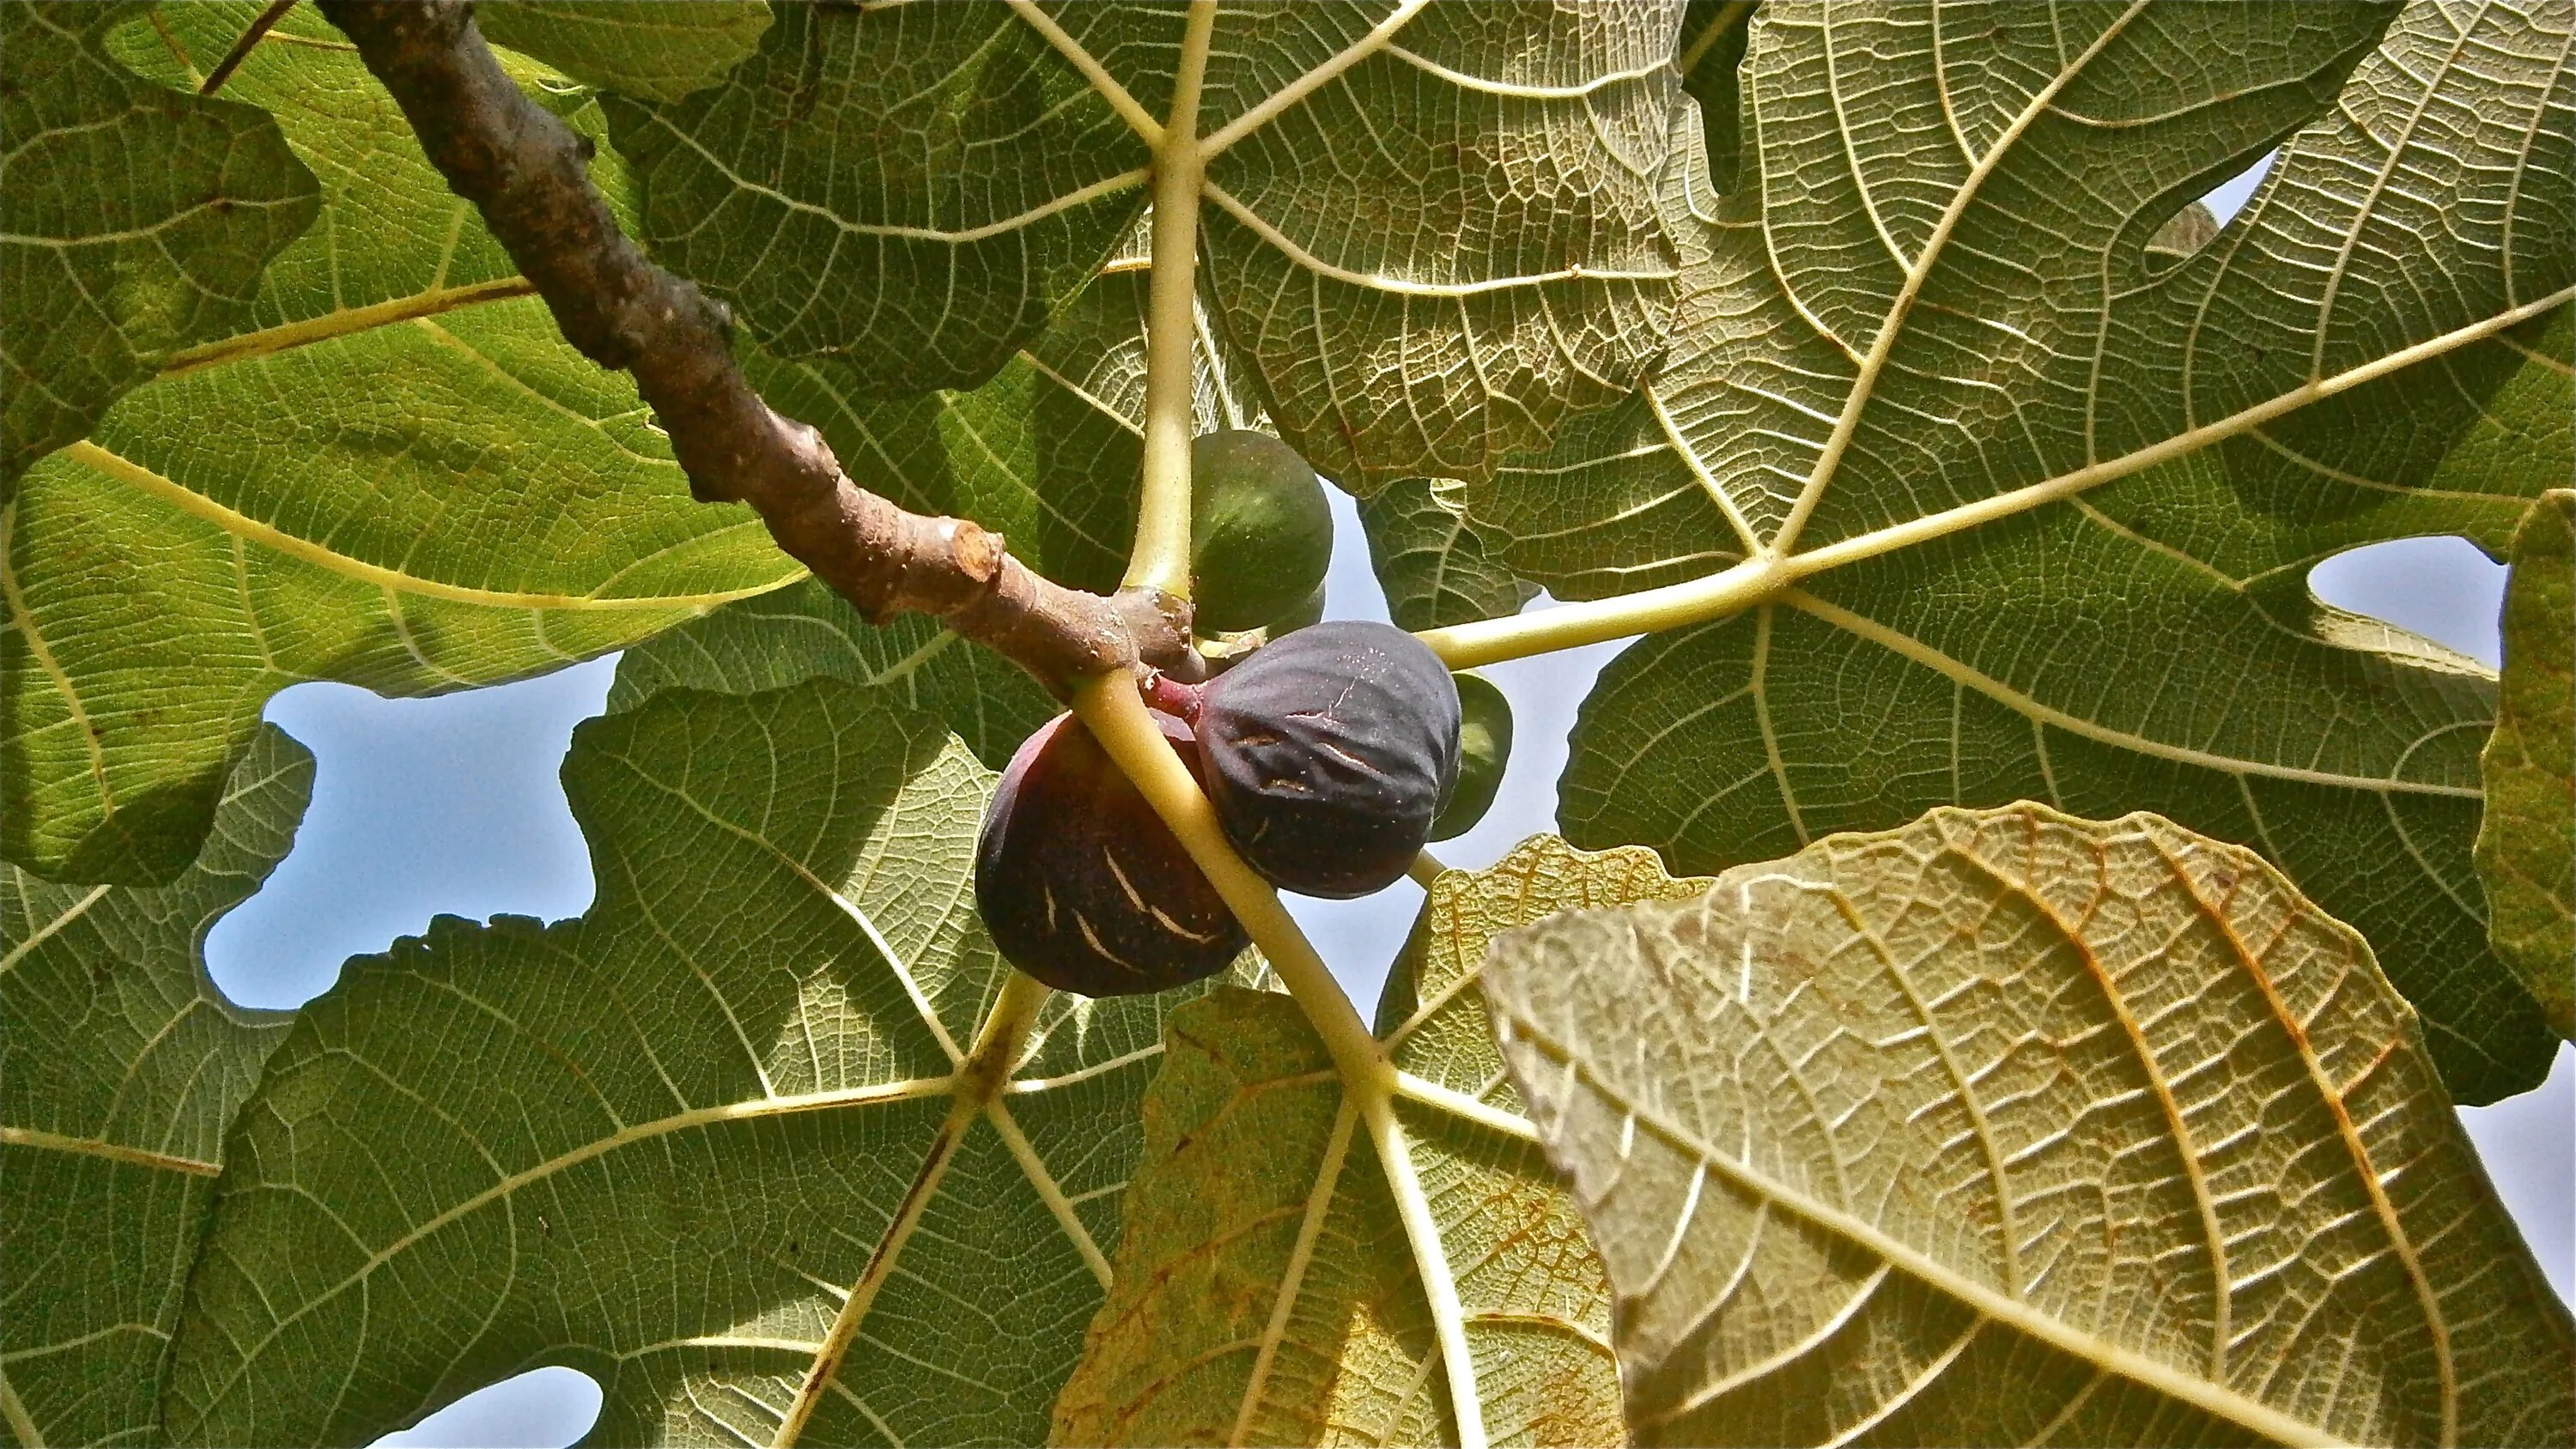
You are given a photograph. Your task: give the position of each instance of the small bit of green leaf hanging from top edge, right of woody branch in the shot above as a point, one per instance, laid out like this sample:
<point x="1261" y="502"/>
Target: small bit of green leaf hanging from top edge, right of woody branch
<point x="653" y="53"/>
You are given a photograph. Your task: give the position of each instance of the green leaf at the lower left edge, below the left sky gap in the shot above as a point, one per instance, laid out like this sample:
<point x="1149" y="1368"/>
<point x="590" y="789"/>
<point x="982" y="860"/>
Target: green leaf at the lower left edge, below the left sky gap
<point x="120" y="1075"/>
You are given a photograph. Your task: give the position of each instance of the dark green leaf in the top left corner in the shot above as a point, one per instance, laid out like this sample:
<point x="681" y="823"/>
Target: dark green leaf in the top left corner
<point x="112" y="266"/>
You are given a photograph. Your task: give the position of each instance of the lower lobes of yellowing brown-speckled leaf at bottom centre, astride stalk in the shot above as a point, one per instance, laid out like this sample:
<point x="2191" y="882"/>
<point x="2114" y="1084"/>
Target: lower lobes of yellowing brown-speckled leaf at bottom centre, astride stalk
<point x="1266" y="1288"/>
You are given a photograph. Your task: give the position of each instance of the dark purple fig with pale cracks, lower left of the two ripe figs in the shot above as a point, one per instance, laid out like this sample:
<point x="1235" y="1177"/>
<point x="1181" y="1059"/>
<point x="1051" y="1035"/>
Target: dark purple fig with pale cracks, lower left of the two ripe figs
<point x="1081" y="881"/>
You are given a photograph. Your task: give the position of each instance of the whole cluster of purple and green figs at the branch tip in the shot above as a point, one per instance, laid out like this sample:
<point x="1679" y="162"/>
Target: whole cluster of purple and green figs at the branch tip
<point x="1328" y="750"/>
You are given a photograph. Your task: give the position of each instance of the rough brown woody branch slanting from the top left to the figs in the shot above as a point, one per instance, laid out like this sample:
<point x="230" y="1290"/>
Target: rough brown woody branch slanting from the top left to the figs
<point x="529" y="179"/>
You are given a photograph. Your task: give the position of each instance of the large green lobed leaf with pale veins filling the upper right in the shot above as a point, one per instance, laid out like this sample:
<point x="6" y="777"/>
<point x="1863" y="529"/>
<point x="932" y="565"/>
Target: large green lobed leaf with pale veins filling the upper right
<point x="2070" y="493"/>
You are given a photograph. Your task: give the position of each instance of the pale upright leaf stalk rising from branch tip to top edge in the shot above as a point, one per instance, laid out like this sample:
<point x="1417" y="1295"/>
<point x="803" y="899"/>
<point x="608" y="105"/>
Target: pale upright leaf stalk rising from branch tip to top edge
<point x="1171" y="331"/>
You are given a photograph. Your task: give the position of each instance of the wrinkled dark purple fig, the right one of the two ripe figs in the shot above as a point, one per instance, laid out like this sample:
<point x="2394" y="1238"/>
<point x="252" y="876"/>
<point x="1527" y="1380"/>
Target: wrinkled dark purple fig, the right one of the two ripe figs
<point x="1328" y="755"/>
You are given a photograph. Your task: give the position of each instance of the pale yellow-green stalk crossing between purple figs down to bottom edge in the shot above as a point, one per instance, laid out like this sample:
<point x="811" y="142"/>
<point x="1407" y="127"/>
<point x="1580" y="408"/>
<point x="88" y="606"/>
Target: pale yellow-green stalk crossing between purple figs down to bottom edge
<point x="1117" y="717"/>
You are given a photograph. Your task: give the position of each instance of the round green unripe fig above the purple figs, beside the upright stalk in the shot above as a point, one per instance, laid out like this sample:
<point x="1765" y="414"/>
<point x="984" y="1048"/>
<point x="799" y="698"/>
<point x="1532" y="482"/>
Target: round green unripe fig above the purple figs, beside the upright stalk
<point x="1261" y="531"/>
